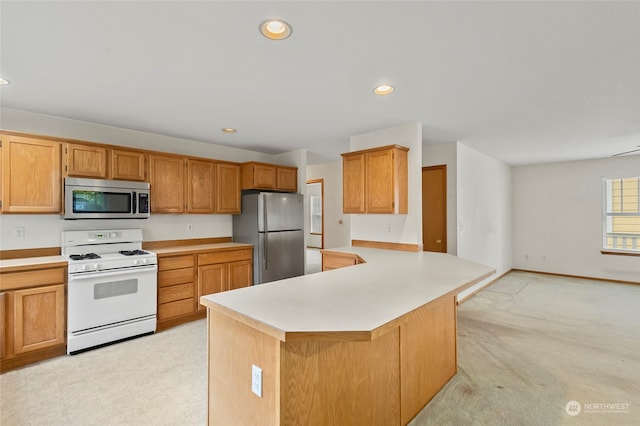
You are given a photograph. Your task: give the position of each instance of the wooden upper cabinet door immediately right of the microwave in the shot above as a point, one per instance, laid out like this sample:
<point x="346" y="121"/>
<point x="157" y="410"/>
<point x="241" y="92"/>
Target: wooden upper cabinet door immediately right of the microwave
<point x="167" y="177"/>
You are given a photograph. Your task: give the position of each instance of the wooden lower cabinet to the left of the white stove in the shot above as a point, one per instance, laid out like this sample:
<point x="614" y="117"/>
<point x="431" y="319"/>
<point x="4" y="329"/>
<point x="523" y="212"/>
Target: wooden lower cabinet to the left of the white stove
<point x="33" y="317"/>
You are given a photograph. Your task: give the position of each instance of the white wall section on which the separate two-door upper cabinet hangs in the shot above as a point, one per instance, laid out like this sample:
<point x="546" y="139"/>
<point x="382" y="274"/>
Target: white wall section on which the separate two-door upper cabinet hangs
<point x="399" y="228"/>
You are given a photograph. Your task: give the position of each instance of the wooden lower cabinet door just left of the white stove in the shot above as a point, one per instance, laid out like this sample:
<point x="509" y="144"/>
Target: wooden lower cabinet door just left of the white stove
<point x="38" y="318"/>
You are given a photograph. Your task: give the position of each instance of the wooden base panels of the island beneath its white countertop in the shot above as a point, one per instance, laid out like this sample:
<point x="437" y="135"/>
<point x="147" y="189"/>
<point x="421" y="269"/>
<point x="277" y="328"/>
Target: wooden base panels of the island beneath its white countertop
<point x="386" y="381"/>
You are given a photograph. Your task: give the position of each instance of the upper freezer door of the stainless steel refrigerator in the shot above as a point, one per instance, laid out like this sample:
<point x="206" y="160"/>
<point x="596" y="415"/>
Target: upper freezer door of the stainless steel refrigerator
<point x="280" y="211"/>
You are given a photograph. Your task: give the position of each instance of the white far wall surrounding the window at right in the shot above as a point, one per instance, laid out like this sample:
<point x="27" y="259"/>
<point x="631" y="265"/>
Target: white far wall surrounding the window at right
<point x="558" y="212"/>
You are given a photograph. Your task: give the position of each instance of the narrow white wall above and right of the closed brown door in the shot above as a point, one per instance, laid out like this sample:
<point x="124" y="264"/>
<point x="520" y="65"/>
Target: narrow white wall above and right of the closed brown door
<point x="446" y="153"/>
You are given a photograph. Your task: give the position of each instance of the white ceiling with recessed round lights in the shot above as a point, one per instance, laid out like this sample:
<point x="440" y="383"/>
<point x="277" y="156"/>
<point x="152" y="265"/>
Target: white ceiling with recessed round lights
<point x="524" y="82"/>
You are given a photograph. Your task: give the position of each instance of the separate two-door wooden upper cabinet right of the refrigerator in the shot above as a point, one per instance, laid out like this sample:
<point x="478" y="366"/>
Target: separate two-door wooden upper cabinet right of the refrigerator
<point x="376" y="180"/>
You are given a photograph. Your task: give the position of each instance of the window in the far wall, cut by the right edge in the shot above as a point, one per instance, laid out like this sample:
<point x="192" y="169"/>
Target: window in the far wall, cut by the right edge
<point x="622" y="214"/>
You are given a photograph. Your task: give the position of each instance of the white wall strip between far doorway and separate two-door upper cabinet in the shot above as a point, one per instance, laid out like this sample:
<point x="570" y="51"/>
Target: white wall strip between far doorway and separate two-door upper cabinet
<point x="337" y="229"/>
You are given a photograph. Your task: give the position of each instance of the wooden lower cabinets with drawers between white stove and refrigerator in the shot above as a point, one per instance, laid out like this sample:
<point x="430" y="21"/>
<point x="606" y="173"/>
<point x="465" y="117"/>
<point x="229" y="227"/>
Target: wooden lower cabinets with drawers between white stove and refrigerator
<point x="183" y="278"/>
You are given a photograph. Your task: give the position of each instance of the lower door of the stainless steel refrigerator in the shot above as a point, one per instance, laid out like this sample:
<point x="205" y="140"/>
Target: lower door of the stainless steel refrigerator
<point x="280" y="255"/>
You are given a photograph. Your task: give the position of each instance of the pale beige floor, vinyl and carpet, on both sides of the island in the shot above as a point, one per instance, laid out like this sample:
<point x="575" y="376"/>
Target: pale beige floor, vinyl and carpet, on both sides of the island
<point x="528" y="345"/>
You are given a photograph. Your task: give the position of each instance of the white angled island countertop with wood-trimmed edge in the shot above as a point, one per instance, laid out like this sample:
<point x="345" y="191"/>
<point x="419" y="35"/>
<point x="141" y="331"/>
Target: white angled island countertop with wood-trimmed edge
<point x="359" y="301"/>
